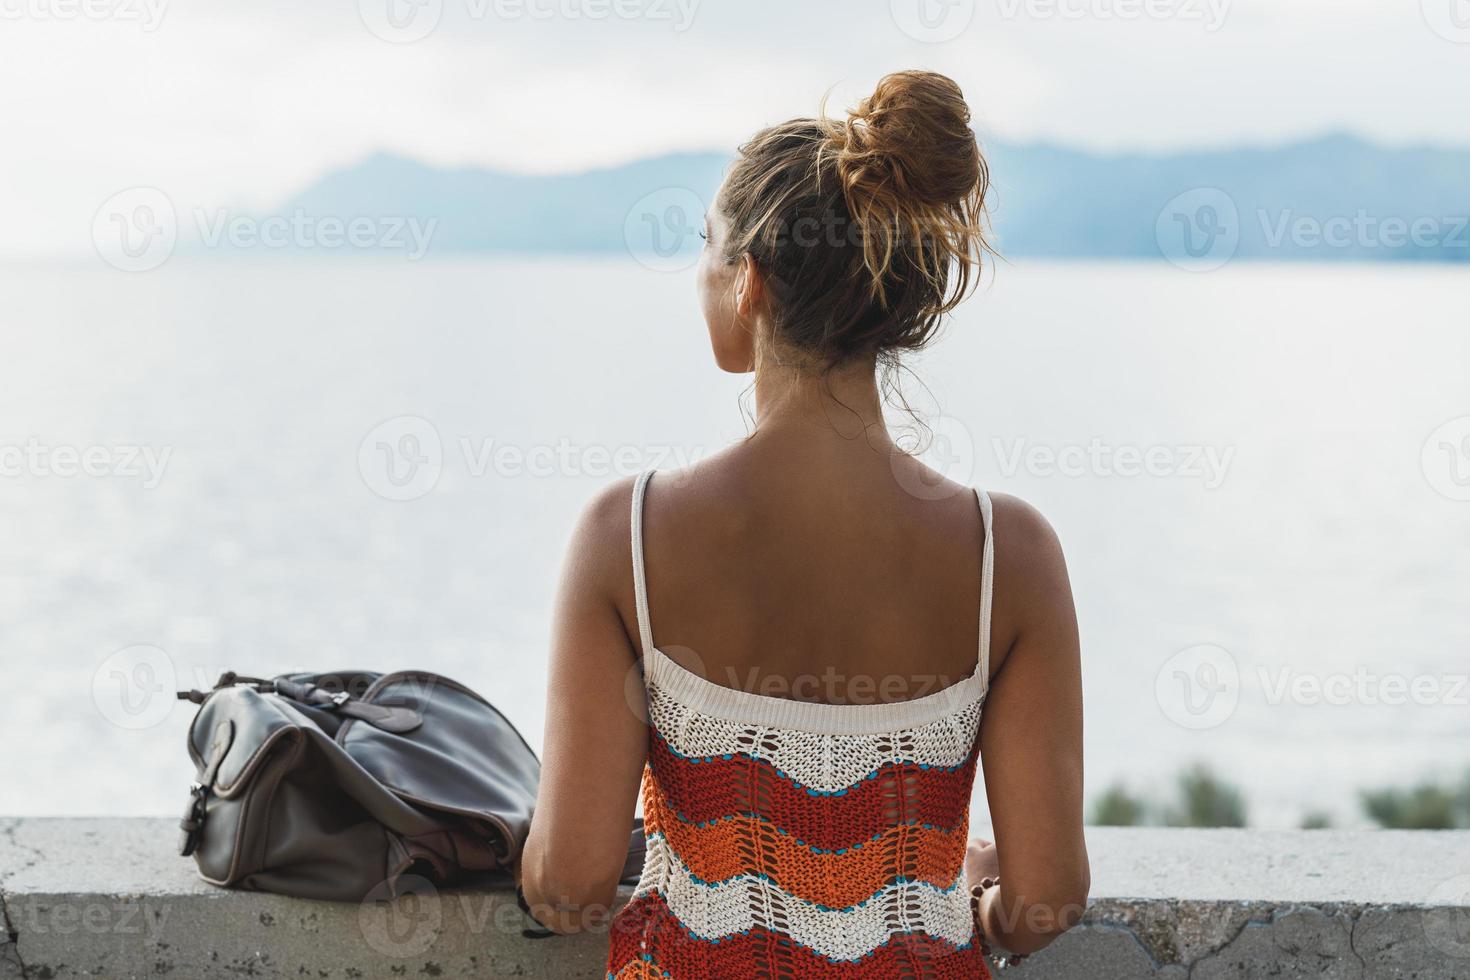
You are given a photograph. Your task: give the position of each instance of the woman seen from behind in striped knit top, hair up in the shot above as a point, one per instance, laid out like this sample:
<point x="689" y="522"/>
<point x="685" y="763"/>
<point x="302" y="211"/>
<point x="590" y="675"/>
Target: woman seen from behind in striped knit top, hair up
<point x="817" y="619"/>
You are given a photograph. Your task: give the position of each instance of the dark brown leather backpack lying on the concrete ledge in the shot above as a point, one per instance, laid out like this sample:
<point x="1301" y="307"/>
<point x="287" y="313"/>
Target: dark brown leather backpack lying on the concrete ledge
<point x="336" y="785"/>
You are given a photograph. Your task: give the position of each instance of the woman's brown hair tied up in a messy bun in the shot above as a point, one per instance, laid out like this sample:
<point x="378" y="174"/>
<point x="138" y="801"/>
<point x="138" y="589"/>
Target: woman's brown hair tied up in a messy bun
<point x="870" y="230"/>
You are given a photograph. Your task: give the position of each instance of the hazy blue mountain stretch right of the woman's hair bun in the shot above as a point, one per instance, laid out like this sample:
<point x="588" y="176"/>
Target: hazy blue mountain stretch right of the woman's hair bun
<point x="1327" y="199"/>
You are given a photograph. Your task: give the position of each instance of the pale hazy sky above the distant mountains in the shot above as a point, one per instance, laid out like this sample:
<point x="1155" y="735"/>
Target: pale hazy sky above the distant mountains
<point x="243" y="102"/>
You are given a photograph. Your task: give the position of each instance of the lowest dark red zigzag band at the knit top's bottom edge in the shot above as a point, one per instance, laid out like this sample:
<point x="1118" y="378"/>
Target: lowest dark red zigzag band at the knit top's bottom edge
<point x="681" y="954"/>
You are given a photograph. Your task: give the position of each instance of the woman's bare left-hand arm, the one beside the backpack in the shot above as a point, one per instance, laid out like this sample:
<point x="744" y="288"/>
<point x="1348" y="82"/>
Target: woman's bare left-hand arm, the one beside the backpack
<point x="596" y="737"/>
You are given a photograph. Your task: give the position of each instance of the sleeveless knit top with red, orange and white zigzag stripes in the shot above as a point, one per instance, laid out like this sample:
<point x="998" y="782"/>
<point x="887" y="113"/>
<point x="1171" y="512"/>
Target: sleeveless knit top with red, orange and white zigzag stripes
<point x="797" y="840"/>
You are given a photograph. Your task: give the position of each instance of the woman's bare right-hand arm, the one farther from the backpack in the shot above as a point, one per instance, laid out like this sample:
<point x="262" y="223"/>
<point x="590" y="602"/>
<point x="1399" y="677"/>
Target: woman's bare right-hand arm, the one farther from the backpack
<point x="1031" y="743"/>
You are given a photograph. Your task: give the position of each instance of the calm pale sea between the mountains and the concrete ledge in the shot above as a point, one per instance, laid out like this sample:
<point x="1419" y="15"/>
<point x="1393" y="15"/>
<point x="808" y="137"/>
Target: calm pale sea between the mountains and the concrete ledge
<point x="1236" y="462"/>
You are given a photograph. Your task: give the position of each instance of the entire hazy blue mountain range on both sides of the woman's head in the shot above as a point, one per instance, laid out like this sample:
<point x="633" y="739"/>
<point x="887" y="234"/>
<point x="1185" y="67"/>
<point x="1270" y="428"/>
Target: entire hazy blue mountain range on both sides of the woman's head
<point x="1331" y="199"/>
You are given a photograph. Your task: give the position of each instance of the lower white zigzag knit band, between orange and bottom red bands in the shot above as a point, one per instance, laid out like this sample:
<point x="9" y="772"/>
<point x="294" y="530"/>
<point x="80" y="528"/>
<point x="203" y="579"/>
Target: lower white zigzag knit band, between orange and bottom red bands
<point x="750" y="903"/>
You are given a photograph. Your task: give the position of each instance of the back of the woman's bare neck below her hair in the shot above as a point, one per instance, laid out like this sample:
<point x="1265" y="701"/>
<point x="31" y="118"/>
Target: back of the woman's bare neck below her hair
<point x="805" y="405"/>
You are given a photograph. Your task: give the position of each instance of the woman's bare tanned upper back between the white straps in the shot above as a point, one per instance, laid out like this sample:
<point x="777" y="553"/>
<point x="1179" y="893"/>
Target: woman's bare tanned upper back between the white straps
<point x="815" y="566"/>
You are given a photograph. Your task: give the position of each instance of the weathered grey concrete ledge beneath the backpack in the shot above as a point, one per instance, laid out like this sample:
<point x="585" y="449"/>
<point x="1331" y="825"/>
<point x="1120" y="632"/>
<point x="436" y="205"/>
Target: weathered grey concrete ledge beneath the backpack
<point x="108" y="898"/>
